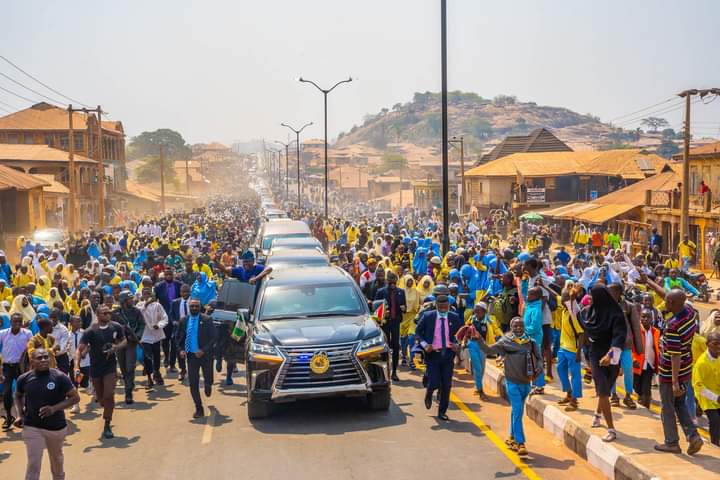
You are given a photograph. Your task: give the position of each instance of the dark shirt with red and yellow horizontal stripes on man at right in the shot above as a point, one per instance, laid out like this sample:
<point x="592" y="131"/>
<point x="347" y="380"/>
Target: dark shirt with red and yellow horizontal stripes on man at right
<point x="677" y="340"/>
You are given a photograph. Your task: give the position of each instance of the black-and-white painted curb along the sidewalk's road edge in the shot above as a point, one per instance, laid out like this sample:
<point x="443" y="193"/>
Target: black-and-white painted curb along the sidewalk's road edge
<point x="614" y="464"/>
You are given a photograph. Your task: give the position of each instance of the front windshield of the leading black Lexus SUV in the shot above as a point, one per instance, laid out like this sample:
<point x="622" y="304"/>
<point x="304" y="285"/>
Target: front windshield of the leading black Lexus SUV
<point x="307" y="300"/>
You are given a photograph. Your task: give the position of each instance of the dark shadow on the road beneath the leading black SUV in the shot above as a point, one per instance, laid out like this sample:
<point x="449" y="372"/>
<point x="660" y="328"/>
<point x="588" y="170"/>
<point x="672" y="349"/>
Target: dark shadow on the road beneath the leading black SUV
<point x="329" y="416"/>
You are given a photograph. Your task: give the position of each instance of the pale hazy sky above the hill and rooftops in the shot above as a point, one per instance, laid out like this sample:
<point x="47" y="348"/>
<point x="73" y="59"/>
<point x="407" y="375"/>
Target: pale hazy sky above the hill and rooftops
<point x="225" y="69"/>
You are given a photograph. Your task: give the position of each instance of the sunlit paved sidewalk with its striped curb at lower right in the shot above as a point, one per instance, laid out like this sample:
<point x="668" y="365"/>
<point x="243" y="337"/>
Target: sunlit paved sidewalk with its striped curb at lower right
<point x="632" y="455"/>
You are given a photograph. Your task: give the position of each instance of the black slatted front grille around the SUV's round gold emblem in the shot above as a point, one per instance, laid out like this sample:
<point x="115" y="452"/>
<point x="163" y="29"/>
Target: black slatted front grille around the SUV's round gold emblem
<point x="296" y="371"/>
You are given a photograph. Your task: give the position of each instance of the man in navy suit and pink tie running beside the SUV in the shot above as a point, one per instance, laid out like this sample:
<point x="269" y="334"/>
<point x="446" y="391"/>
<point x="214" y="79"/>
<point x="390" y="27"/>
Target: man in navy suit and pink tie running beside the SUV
<point x="436" y="330"/>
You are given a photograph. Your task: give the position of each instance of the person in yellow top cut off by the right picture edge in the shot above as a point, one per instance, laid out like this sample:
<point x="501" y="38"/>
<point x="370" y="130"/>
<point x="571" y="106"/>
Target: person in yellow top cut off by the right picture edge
<point x="706" y="384"/>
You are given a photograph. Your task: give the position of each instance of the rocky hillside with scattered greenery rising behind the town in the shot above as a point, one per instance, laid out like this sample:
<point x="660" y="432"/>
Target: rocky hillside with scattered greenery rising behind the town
<point x="478" y="119"/>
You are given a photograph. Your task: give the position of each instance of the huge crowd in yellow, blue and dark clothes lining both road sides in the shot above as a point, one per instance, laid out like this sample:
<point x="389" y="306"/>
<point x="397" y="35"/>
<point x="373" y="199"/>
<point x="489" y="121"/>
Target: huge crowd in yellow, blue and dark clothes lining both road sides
<point x="105" y="300"/>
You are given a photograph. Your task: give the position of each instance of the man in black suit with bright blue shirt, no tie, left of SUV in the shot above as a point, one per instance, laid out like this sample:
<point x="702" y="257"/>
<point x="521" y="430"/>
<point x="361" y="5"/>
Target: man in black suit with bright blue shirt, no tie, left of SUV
<point x="196" y="336"/>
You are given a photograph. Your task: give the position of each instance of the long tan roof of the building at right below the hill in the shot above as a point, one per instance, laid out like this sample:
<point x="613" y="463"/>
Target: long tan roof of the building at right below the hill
<point x="630" y="164"/>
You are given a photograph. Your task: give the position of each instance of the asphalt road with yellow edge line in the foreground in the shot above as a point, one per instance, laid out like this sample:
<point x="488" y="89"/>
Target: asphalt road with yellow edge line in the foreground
<point x="331" y="438"/>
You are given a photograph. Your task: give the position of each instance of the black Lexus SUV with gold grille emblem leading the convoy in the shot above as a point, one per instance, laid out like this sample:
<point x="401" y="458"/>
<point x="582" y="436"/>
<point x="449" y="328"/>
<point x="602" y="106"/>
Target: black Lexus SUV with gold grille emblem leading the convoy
<point x="311" y="335"/>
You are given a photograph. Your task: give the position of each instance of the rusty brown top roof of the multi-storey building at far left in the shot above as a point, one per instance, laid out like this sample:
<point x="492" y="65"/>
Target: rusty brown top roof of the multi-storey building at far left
<point x="43" y="116"/>
